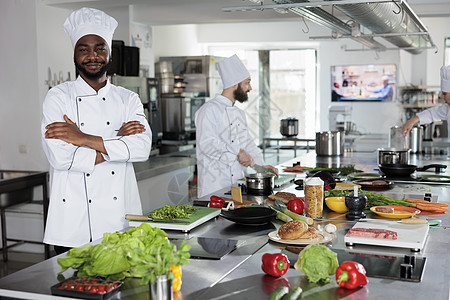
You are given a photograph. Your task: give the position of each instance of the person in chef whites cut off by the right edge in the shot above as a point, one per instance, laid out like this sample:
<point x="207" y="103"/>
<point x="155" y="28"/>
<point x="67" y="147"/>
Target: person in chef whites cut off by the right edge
<point x="437" y="113"/>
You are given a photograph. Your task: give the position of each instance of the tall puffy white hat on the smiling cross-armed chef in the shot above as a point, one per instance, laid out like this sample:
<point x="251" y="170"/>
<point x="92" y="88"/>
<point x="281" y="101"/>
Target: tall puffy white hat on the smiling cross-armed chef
<point x="90" y="21"/>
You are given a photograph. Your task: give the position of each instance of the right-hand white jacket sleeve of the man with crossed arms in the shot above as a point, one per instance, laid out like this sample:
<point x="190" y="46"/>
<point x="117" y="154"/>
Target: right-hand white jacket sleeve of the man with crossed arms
<point x="134" y="147"/>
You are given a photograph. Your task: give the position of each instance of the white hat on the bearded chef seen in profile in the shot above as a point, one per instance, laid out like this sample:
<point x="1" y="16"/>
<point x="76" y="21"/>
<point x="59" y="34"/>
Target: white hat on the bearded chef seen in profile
<point x="232" y="71"/>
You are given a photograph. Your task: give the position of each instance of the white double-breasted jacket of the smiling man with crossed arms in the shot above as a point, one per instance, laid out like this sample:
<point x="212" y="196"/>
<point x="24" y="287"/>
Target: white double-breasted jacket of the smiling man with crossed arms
<point x="88" y="200"/>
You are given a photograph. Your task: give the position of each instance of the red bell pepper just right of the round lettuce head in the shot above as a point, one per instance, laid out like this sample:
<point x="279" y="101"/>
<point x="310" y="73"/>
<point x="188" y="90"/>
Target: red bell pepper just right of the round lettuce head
<point x="350" y="275"/>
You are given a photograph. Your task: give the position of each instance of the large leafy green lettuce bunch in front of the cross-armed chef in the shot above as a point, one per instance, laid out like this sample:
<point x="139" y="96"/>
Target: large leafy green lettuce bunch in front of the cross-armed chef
<point x="142" y="252"/>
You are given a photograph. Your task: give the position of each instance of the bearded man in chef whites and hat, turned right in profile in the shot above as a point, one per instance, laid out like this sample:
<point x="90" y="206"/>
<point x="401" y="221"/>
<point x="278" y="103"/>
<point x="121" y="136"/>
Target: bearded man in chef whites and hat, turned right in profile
<point x="223" y="143"/>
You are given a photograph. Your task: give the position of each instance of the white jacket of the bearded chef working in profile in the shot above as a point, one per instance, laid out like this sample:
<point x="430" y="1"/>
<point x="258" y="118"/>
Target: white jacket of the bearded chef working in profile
<point x="221" y="132"/>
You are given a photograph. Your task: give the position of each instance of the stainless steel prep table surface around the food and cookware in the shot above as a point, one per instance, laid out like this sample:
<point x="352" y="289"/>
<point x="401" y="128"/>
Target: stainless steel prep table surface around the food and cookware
<point x="239" y="276"/>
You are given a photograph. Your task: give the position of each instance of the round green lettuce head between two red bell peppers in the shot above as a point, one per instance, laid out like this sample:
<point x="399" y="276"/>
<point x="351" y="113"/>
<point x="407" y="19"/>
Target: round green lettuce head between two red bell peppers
<point x="317" y="262"/>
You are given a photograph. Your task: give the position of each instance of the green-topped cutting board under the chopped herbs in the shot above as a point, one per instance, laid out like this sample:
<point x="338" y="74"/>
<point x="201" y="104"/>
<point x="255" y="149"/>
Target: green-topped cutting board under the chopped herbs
<point x="202" y="215"/>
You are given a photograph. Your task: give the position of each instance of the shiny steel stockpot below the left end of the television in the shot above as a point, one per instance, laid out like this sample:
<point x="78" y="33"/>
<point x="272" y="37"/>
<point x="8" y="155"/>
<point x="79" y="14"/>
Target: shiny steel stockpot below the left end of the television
<point x="330" y="143"/>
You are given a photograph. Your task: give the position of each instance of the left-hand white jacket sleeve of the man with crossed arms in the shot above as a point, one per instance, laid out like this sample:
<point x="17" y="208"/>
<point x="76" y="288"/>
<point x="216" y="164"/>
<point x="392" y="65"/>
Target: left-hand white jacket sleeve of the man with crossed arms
<point x="62" y="155"/>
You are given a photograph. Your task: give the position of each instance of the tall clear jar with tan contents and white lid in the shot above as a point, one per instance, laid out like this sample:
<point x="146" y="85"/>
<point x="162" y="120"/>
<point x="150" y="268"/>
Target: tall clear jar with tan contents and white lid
<point x="314" y="197"/>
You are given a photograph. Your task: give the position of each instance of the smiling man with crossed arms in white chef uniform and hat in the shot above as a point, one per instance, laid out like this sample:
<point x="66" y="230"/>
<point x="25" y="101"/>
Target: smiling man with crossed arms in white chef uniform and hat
<point x="92" y="131"/>
